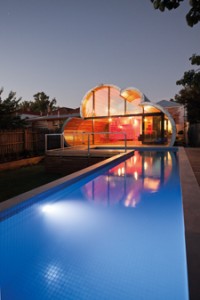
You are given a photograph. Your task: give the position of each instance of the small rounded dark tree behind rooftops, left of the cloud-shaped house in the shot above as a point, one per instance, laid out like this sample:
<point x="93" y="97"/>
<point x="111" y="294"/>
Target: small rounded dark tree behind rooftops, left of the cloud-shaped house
<point x="42" y="104"/>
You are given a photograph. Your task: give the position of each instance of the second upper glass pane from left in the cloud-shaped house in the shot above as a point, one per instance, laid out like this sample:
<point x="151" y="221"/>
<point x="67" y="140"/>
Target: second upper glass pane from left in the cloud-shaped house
<point x="101" y="102"/>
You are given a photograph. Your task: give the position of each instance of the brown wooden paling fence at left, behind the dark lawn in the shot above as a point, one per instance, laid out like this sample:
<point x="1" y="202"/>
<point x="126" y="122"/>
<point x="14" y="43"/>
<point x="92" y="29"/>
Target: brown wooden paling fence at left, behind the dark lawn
<point x="20" y="143"/>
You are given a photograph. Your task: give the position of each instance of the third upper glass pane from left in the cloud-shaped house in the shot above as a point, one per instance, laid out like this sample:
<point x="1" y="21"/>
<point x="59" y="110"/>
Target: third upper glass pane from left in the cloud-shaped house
<point x="116" y="103"/>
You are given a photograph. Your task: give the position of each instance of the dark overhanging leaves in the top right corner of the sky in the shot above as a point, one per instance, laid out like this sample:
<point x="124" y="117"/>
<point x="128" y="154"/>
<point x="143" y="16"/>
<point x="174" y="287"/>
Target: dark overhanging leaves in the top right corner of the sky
<point x="192" y="17"/>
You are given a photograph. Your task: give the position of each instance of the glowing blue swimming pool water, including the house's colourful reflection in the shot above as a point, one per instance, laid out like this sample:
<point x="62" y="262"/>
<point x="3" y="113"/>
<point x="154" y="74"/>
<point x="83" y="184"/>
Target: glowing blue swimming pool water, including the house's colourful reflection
<point x="117" y="235"/>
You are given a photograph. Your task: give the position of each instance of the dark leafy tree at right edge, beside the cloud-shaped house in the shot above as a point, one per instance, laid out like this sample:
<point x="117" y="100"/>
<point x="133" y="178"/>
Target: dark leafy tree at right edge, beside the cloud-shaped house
<point x="189" y="96"/>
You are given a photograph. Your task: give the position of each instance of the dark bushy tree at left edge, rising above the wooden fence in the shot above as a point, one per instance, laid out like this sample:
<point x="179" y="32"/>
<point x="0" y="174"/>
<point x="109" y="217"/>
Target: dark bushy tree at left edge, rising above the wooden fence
<point x="8" y="110"/>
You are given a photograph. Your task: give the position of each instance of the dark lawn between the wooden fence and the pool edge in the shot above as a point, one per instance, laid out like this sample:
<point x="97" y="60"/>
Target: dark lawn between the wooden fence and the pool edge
<point x="18" y="181"/>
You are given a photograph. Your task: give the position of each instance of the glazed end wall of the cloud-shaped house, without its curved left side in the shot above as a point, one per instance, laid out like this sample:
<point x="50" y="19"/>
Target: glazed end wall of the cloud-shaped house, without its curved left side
<point x="124" y="115"/>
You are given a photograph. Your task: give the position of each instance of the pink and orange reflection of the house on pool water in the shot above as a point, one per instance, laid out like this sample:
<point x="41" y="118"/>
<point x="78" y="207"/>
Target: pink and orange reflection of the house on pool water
<point x="143" y="172"/>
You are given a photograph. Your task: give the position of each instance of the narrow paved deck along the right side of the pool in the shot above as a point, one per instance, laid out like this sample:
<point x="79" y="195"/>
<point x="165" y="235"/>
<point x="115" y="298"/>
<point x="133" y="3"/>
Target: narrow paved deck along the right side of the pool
<point x="190" y="182"/>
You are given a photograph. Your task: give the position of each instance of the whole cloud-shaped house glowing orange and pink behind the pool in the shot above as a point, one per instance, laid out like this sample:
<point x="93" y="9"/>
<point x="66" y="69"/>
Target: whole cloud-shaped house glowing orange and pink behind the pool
<point x="112" y="115"/>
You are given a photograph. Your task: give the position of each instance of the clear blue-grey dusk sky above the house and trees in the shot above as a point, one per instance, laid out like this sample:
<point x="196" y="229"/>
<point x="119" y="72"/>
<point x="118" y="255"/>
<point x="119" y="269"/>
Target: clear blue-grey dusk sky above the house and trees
<point x="66" y="47"/>
